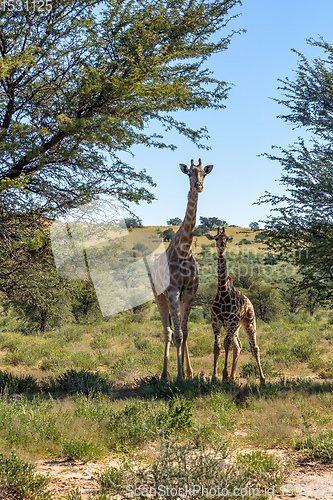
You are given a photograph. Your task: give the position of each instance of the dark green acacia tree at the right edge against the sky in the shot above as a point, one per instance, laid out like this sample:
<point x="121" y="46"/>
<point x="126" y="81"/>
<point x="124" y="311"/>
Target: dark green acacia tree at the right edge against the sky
<point x="300" y="228"/>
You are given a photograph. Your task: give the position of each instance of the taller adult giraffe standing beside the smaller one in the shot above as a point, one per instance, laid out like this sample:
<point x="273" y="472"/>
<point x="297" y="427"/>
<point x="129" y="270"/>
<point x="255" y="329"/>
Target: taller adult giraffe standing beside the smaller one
<point x="182" y="268"/>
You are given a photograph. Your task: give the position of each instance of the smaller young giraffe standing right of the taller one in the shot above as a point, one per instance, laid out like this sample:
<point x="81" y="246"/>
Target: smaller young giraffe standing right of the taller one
<point x="231" y="309"/>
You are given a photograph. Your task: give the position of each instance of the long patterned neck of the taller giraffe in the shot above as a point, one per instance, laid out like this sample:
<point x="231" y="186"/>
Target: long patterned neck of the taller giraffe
<point x="184" y="236"/>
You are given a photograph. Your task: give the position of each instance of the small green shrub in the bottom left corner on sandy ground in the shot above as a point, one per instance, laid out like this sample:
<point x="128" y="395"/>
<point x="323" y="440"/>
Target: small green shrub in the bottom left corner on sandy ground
<point x="21" y="477"/>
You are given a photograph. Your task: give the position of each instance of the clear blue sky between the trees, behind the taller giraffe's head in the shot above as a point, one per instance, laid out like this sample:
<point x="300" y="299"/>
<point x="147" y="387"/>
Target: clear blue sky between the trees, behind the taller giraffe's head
<point x="248" y="126"/>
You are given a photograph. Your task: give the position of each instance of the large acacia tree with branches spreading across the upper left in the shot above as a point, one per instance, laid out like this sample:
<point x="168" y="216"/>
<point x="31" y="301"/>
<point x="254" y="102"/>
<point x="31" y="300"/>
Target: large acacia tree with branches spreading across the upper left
<point x="78" y="85"/>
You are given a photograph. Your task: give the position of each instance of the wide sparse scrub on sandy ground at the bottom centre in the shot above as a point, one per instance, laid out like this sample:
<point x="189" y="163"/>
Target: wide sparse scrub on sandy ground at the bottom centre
<point x="182" y="466"/>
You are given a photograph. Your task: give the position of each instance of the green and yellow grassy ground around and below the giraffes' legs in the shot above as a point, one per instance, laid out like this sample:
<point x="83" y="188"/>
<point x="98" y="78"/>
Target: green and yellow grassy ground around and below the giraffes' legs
<point x="94" y="390"/>
